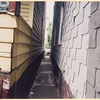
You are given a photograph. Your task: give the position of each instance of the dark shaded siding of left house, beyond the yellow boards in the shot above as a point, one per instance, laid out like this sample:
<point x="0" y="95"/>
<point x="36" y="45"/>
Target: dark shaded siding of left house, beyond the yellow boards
<point x="37" y="40"/>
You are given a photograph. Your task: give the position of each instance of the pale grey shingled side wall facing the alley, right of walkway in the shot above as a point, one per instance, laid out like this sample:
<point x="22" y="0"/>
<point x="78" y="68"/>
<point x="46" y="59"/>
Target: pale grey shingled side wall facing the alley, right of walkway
<point x="71" y="55"/>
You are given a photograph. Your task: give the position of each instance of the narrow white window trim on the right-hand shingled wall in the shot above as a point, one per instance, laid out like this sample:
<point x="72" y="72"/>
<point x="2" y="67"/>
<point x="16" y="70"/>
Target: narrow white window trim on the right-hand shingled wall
<point x="61" y="24"/>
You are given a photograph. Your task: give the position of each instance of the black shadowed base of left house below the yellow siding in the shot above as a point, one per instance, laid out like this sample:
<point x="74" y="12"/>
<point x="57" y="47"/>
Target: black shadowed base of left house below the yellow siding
<point x="22" y="87"/>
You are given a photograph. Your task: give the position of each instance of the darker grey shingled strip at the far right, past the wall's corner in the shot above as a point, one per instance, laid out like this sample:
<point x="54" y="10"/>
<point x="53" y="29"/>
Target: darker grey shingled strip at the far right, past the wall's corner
<point x="93" y="70"/>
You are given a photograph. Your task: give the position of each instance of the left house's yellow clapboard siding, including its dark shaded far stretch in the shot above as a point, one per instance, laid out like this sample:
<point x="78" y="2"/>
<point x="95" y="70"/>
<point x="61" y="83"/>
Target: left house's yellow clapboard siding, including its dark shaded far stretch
<point x="21" y="42"/>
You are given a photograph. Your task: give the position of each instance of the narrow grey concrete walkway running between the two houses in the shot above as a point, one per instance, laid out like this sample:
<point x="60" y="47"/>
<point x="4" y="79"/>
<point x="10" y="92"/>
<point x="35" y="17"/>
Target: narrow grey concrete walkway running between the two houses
<point x="44" y="84"/>
